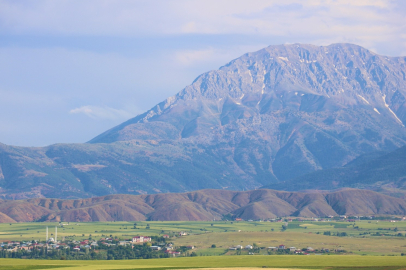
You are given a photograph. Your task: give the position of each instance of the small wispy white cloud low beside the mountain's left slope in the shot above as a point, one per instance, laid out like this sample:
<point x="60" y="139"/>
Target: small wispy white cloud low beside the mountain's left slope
<point x="103" y="113"/>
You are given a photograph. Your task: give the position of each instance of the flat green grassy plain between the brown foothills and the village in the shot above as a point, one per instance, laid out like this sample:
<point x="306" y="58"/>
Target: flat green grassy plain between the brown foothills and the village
<point x="363" y="237"/>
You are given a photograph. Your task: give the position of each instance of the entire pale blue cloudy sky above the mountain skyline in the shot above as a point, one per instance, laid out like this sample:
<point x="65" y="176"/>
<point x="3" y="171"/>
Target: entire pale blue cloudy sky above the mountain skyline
<point x="72" y="69"/>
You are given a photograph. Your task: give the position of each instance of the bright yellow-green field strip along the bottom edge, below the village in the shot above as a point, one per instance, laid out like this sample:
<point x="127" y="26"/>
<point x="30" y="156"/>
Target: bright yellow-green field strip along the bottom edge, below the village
<point x="304" y="262"/>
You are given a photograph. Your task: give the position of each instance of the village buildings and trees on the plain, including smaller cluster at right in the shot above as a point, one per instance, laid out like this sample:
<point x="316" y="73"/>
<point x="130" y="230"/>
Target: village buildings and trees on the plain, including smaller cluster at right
<point x="136" y="247"/>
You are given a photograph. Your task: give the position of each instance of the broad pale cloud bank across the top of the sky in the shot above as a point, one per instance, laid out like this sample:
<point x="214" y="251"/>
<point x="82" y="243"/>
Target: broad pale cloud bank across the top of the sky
<point x="365" y="22"/>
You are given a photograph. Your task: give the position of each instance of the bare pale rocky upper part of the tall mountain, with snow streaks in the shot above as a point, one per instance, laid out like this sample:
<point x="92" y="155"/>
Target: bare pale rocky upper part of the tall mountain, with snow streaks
<point x="294" y="77"/>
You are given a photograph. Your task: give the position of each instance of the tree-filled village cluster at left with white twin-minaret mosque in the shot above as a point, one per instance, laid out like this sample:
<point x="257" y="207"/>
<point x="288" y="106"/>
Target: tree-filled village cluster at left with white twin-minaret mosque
<point x="136" y="247"/>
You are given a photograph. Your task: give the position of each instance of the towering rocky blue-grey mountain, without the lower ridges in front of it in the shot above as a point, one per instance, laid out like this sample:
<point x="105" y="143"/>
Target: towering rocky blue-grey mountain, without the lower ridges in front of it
<point x="291" y="108"/>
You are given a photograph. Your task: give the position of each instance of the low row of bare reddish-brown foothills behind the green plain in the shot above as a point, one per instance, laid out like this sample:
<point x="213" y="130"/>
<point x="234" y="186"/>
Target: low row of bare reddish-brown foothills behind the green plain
<point x="203" y="205"/>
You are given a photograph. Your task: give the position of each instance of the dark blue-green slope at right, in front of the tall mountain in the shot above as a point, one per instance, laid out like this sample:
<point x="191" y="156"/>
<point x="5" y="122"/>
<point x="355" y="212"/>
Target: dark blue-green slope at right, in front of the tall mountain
<point x="383" y="172"/>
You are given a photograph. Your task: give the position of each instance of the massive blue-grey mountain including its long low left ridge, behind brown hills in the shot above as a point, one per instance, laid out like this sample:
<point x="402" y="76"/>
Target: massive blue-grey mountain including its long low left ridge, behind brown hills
<point x="263" y="118"/>
